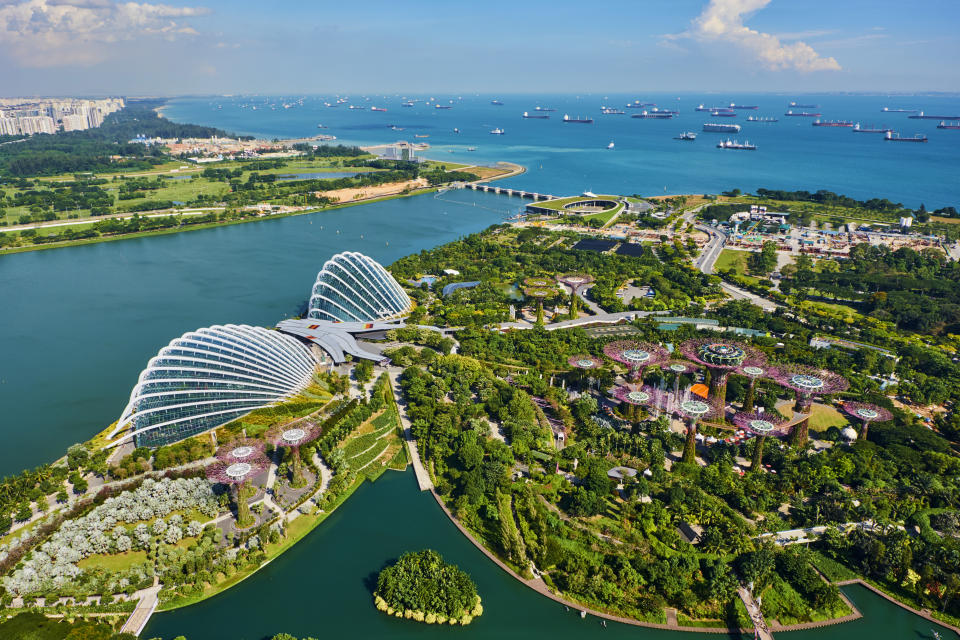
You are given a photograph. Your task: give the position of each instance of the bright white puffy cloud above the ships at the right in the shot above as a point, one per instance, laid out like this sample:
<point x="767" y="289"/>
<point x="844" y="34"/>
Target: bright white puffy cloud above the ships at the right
<point x="721" y="22"/>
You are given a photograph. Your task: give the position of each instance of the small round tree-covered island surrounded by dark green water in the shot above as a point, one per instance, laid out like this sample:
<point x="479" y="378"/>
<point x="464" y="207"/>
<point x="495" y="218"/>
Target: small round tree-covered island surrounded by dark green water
<point x="421" y="586"/>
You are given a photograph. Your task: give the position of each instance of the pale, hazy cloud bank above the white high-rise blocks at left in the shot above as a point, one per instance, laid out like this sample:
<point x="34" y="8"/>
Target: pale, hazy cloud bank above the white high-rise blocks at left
<point x="50" y="33"/>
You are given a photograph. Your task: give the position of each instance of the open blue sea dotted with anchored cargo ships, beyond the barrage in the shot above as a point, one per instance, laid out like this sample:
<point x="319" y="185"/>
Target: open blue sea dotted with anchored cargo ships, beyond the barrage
<point x="564" y="158"/>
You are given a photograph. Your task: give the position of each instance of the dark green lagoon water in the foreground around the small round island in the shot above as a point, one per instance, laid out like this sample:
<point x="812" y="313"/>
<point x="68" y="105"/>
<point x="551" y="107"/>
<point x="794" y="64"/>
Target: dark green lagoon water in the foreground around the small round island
<point x="321" y="587"/>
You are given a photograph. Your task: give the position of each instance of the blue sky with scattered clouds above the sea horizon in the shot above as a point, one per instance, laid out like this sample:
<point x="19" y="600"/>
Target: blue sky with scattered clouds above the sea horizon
<point x="106" y="47"/>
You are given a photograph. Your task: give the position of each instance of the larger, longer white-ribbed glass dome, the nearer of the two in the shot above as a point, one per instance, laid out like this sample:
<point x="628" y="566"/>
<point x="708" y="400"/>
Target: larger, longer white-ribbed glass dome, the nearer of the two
<point x="208" y="377"/>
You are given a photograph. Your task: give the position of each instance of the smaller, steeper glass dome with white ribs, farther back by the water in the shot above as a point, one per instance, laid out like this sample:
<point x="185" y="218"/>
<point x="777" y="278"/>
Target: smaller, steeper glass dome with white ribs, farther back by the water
<point x="352" y="287"/>
